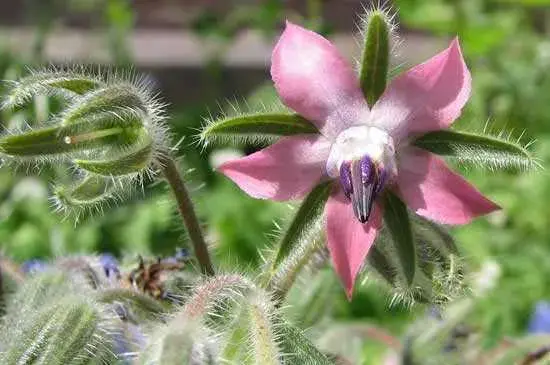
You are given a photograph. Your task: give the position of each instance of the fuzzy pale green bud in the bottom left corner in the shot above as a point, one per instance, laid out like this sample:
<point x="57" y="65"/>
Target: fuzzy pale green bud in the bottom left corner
<point x="54" y="320"/>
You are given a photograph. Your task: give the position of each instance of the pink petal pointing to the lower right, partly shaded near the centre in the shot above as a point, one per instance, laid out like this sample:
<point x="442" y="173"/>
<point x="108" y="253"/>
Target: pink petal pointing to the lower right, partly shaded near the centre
<point x="431" y="189"/>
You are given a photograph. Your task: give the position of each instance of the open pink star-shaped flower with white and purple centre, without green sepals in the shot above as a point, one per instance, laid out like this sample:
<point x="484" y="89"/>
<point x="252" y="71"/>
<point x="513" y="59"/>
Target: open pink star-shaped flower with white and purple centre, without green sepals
<point x="365" y="149"/>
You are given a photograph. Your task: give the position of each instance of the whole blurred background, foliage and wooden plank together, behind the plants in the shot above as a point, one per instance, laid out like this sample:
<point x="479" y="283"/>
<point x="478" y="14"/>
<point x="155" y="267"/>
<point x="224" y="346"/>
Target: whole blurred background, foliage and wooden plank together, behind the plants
<point x="203" y="54"/>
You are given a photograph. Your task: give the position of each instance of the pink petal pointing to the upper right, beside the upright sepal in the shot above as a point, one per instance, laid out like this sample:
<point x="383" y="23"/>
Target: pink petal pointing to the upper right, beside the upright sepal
<point x="428" y="97"/>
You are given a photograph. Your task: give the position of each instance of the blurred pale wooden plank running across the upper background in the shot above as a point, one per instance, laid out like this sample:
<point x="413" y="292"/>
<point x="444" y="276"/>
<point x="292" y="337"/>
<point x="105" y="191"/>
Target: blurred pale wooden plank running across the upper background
<point x="172" y="48"/>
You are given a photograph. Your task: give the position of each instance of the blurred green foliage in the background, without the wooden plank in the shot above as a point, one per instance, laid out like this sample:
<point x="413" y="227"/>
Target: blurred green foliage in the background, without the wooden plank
<point x="507" y="46"/>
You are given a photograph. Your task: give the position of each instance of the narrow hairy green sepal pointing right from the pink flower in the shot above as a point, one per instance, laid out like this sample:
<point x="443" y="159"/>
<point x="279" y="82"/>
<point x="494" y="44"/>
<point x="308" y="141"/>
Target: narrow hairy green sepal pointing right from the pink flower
<point x="481" y="150"/>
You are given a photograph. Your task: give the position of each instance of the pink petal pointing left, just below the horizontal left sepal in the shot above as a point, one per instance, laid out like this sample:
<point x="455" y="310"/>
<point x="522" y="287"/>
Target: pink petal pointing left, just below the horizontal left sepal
<point x="286" y="170"/>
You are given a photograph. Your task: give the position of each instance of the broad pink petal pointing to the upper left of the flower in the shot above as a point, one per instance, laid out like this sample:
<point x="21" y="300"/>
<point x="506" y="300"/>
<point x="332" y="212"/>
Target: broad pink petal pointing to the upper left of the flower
<point x="314" y="79"/>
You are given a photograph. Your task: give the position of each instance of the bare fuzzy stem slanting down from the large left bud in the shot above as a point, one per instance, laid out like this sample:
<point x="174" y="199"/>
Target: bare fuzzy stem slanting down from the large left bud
<point x="187" y="212"/>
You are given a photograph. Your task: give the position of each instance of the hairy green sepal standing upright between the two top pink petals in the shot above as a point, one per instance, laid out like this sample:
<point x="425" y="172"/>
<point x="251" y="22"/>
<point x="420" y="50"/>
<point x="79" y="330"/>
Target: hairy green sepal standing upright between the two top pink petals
<point x="376" y="56"/>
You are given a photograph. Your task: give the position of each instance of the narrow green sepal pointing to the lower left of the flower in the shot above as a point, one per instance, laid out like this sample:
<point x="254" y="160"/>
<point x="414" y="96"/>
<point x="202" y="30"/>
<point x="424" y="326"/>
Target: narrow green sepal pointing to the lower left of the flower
<point x="311" y="209"/>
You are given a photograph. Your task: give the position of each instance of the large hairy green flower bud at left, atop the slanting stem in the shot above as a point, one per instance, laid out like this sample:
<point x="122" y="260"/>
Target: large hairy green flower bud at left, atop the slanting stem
<point x="111" y="131"/>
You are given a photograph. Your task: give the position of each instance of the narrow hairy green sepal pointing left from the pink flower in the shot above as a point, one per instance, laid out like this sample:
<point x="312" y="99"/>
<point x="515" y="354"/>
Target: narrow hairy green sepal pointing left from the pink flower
<point x="252" y="126"/>
